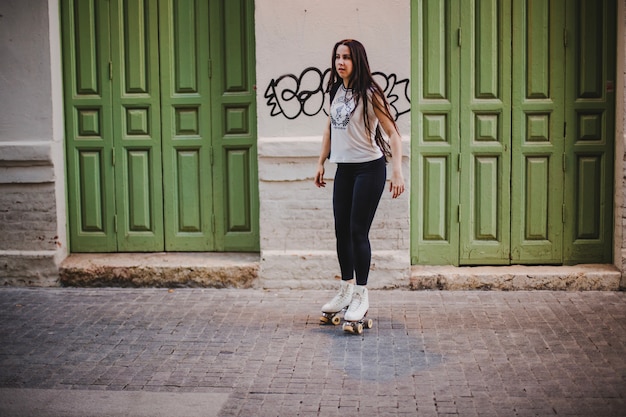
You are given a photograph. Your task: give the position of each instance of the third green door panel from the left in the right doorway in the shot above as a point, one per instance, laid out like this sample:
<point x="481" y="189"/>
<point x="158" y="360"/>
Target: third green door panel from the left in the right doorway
<point x="537" y="132"/>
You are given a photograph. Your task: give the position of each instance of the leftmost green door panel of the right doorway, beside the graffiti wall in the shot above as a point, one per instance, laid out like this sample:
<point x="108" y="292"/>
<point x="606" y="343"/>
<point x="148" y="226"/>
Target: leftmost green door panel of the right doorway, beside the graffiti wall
<point x="435" y="119"/>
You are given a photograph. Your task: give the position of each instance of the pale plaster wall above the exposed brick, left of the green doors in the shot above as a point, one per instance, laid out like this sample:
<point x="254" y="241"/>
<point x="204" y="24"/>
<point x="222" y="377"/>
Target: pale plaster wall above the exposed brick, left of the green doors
<point x="25" y="90"/>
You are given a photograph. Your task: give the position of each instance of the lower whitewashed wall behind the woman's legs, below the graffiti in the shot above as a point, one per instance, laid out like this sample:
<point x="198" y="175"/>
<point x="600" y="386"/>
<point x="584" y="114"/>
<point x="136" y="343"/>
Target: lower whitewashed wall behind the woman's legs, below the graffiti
<point x="297" y="225"/>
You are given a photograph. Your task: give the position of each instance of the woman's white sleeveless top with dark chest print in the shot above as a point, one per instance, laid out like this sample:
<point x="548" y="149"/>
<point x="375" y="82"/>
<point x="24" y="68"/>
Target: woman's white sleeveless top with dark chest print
<point x="349" y="140"/>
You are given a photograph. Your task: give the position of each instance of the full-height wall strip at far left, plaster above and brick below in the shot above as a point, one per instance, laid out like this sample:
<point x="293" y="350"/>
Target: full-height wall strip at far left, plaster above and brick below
<point x="30" y="146"/>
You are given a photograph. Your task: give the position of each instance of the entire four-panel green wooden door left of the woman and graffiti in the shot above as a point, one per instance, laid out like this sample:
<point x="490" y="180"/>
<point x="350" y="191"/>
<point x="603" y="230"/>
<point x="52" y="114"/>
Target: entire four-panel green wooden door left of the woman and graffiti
<point x="145" y="126"/>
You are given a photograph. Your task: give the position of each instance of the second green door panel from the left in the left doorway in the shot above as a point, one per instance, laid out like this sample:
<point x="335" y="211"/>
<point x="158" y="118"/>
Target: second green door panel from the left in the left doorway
<point x="137" y="125"/>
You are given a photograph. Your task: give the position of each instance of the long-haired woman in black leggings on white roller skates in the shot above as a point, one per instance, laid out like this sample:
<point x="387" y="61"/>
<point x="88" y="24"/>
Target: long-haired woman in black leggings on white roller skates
<point x="357" y="112"/>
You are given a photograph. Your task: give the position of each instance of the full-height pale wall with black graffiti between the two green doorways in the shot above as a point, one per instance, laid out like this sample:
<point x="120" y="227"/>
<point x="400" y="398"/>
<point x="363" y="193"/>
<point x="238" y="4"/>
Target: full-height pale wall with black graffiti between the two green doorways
<point x="294" y="41"/>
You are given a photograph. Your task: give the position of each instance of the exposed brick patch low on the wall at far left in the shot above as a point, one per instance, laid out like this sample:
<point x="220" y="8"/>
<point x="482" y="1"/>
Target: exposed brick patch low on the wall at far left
<point x="28" y="217"/>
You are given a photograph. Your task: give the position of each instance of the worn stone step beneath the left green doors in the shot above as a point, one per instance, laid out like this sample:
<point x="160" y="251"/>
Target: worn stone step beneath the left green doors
<point x="211" y="270"/>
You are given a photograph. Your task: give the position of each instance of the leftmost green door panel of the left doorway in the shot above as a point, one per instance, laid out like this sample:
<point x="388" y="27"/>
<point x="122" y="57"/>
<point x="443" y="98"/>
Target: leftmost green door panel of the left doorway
<point x="89" y="128"/>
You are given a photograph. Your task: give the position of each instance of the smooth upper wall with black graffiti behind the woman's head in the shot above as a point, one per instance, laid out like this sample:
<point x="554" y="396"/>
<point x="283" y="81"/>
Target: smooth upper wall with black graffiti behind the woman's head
<point x="292" y="35"/>
